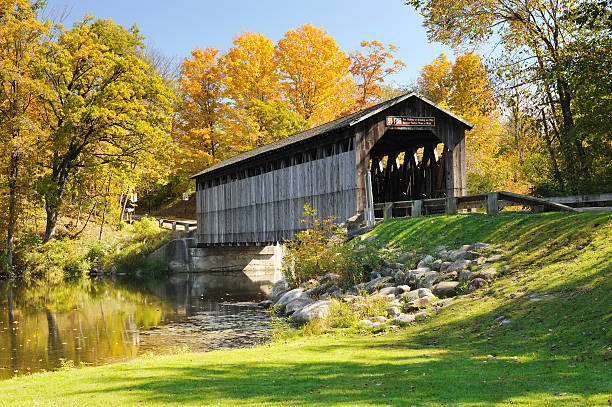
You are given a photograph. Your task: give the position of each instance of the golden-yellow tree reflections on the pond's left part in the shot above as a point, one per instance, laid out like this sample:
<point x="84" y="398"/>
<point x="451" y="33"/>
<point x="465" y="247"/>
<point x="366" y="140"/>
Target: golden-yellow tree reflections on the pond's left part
<point x="86" y="321"/>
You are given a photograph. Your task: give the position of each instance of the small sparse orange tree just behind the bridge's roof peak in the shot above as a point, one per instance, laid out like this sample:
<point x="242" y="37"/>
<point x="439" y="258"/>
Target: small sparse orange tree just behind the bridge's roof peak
<point x="372" y="69"/>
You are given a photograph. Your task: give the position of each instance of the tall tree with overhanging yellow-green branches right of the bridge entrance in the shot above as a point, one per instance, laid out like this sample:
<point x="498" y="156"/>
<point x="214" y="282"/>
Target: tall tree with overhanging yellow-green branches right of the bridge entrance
<point x="537" y="36"/>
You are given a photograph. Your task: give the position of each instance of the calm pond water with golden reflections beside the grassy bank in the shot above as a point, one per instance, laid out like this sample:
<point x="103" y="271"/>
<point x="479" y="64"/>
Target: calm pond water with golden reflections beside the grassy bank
<point x="43" y="327"/>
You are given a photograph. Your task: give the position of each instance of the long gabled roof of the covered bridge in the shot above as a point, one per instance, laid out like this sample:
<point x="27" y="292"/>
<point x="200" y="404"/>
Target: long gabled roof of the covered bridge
<point x="343" y="122"/>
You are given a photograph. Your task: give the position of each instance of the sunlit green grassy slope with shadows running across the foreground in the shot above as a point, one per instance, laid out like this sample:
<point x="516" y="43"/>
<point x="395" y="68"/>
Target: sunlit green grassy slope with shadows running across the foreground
<point x="553" y="352"/>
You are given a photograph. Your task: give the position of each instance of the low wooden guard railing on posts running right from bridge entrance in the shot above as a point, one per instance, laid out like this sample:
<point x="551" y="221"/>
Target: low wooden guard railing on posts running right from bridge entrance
<point x="493" y="202"/>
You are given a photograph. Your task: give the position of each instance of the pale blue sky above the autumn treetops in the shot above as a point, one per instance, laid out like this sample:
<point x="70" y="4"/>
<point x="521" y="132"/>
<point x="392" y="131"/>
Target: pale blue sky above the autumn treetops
<point x="176" y="27"/>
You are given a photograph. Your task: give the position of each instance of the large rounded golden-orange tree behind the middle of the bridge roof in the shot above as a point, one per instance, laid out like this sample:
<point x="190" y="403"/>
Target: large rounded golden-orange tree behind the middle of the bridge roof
<point x="315" y="75"/>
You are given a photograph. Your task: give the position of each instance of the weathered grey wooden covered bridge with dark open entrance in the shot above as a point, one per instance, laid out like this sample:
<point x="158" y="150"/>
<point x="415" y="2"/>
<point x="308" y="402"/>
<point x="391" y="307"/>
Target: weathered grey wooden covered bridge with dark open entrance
<point x="405" y="148"/>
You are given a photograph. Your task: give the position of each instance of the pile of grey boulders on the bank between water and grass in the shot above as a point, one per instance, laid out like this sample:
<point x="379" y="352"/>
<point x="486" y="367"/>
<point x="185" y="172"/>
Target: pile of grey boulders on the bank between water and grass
<point x="443" y="274"/>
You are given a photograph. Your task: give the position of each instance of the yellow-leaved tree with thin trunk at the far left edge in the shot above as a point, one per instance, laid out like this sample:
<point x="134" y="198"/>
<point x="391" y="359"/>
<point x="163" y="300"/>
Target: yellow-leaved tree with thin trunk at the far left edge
<point x="20" y="38"/>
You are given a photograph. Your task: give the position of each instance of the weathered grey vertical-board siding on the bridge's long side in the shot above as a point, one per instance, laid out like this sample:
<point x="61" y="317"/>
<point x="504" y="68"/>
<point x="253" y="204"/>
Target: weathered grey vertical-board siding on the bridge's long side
<point x="268" y="207"/>
